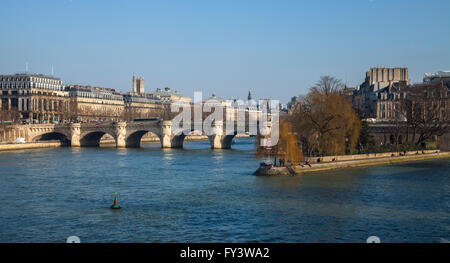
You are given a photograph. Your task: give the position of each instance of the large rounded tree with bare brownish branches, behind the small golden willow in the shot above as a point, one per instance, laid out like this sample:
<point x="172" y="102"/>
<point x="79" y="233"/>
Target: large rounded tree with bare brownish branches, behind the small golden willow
<point x="326" y="120"/>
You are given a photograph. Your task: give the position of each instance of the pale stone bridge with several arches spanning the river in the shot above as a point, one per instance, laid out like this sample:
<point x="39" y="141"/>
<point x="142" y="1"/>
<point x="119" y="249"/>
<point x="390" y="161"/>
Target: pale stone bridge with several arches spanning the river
<point x="129" y="134"/>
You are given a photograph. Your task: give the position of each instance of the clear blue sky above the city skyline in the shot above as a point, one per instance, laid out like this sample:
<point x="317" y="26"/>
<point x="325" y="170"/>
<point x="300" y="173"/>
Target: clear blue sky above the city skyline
<point x="277" y="49"/>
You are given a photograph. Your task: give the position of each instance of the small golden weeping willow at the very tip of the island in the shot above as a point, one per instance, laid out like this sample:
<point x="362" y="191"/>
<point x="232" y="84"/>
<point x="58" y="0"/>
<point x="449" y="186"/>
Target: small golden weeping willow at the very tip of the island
<point x="287" y="148"/>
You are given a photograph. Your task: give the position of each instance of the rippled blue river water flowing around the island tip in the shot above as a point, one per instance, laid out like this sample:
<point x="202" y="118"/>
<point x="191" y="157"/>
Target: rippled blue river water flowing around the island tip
<point x="200" y="195"/>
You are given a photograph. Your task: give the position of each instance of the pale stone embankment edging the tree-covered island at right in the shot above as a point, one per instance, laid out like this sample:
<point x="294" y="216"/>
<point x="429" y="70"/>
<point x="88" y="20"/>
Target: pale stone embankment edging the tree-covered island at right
<point x="353" y="162"/>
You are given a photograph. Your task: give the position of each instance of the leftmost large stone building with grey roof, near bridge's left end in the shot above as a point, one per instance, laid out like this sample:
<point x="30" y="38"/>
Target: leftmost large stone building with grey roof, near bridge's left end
<point x="37" y="98"/>
